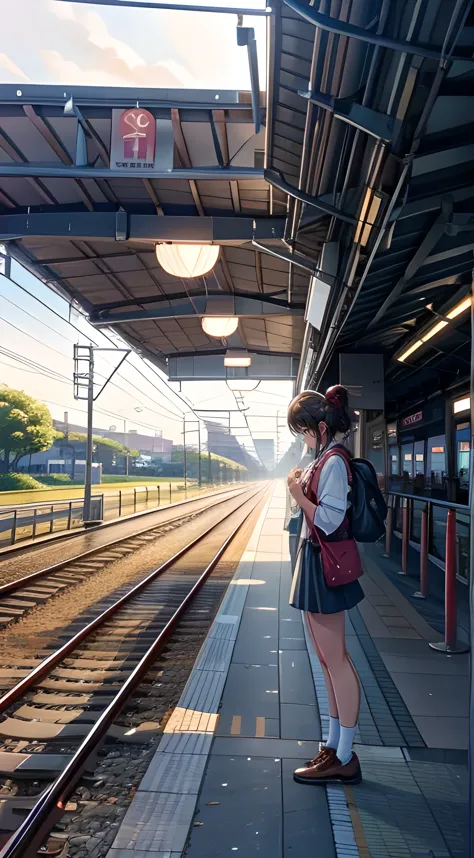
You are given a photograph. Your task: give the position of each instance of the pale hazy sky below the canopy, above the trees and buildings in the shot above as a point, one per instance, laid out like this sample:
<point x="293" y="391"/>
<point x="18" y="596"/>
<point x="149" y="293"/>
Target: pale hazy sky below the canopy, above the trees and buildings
<point x="37" y="336"/>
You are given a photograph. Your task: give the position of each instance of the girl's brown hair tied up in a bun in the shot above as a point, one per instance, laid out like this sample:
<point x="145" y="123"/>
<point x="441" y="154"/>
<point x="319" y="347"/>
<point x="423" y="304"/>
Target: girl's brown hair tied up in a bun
<point x="309" y="409"/>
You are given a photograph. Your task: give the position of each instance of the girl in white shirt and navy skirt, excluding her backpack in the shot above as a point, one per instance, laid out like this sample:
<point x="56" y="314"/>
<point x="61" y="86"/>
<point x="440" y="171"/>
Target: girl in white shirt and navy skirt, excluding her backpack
<point x="325" y="581"/>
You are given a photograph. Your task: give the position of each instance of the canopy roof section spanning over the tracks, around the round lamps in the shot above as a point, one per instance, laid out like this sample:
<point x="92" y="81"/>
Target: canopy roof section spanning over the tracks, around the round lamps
<point x="87" y="222"/>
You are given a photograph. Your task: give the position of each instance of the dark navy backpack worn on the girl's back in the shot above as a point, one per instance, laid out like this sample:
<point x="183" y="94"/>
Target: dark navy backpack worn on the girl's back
<point x="368" y="509"/>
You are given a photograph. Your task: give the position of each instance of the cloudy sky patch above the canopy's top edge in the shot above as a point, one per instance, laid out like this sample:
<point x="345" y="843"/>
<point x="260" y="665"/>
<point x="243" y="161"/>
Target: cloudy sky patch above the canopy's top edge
<point x="68" y="43"/>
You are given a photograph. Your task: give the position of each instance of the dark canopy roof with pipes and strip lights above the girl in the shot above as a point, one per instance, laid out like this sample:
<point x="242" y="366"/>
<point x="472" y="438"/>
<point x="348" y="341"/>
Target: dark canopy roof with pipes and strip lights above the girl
<point x="371" y="112"/>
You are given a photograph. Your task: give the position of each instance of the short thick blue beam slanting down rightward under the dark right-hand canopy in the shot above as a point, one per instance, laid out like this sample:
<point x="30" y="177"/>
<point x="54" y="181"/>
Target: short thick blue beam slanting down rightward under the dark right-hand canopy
<point x="375" y="124"/>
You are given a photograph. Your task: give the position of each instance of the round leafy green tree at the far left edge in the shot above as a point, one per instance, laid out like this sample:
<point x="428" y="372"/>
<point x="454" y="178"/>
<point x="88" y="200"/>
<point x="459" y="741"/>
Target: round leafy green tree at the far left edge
<point x="26" y="427"/>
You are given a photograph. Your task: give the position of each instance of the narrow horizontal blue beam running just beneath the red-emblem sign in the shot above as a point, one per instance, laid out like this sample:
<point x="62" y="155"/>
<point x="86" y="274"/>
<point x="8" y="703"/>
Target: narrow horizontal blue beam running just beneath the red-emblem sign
<point x="204" y="174"/>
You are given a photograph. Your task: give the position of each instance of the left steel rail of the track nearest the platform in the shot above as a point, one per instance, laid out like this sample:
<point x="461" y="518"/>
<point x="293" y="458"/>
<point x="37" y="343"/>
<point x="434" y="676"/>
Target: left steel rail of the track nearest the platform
<point x="35" y="675"/>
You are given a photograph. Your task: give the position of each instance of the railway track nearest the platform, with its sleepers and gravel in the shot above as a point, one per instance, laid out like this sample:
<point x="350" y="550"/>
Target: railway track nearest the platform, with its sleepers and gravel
<point x="59" y="711"/>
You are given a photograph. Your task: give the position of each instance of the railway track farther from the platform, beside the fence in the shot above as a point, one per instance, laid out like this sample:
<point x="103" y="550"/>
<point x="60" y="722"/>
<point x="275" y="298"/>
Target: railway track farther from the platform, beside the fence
<point x="21" y="595"/>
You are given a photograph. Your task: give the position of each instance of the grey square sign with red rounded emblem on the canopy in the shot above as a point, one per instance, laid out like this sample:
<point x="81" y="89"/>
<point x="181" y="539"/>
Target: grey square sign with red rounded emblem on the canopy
<point x="140" y="142"/>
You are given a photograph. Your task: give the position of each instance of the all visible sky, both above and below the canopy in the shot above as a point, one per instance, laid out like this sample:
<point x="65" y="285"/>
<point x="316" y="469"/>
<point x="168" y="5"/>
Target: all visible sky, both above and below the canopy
<point x="73" y="44"/>
